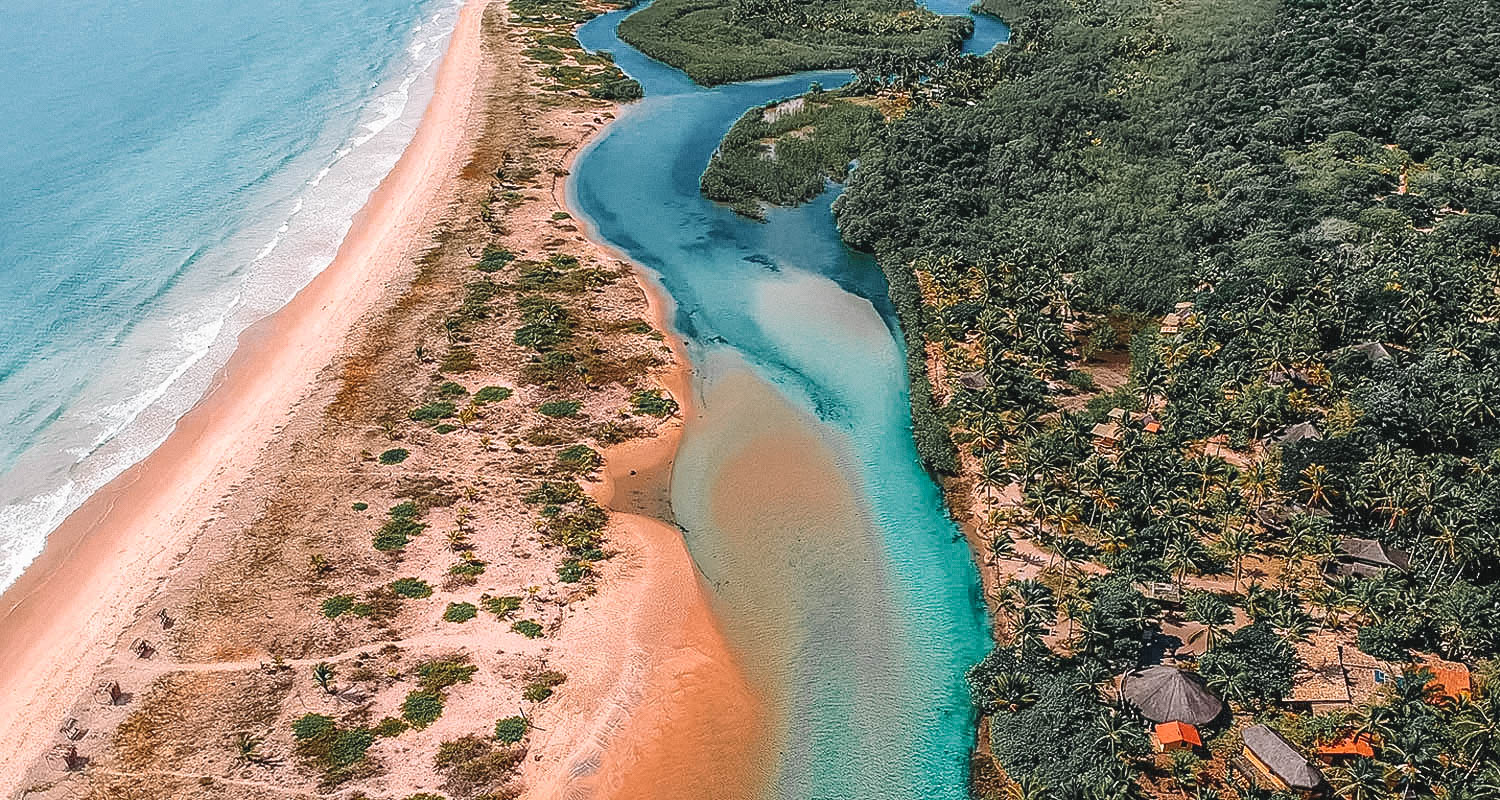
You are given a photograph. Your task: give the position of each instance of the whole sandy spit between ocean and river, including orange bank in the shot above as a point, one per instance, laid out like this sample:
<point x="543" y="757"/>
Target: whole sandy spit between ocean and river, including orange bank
<point x="253" y="513"/>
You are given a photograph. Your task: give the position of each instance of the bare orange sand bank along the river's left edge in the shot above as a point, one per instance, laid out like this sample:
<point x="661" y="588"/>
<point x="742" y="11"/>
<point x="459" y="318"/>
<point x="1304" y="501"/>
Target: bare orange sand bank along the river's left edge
<point x="599" y="753"/>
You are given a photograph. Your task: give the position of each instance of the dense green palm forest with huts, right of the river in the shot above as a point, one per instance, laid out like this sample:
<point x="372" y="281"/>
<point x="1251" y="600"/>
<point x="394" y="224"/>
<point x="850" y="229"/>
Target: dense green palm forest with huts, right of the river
<point x="1204" y="323"/>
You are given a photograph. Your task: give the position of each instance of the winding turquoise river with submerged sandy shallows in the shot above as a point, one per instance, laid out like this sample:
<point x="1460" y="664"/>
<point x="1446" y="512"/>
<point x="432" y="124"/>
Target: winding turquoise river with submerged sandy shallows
<point x="835" y="571"/>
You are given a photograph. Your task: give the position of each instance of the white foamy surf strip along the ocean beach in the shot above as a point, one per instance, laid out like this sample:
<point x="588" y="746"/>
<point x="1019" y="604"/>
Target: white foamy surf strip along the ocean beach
<point x="131" y="408"/>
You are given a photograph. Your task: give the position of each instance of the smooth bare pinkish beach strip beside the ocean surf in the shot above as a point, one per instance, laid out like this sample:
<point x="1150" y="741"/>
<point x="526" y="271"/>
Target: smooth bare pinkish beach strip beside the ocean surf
<point x="62" y="618"/>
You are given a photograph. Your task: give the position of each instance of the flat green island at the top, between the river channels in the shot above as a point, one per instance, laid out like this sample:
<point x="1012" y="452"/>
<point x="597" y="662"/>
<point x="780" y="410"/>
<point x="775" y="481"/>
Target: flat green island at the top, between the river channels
<point x="718" y="41"/>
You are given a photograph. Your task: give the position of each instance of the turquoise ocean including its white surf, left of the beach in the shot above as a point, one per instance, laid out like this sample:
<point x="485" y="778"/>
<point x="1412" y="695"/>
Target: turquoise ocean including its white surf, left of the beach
<point x="169" y="175"/>
